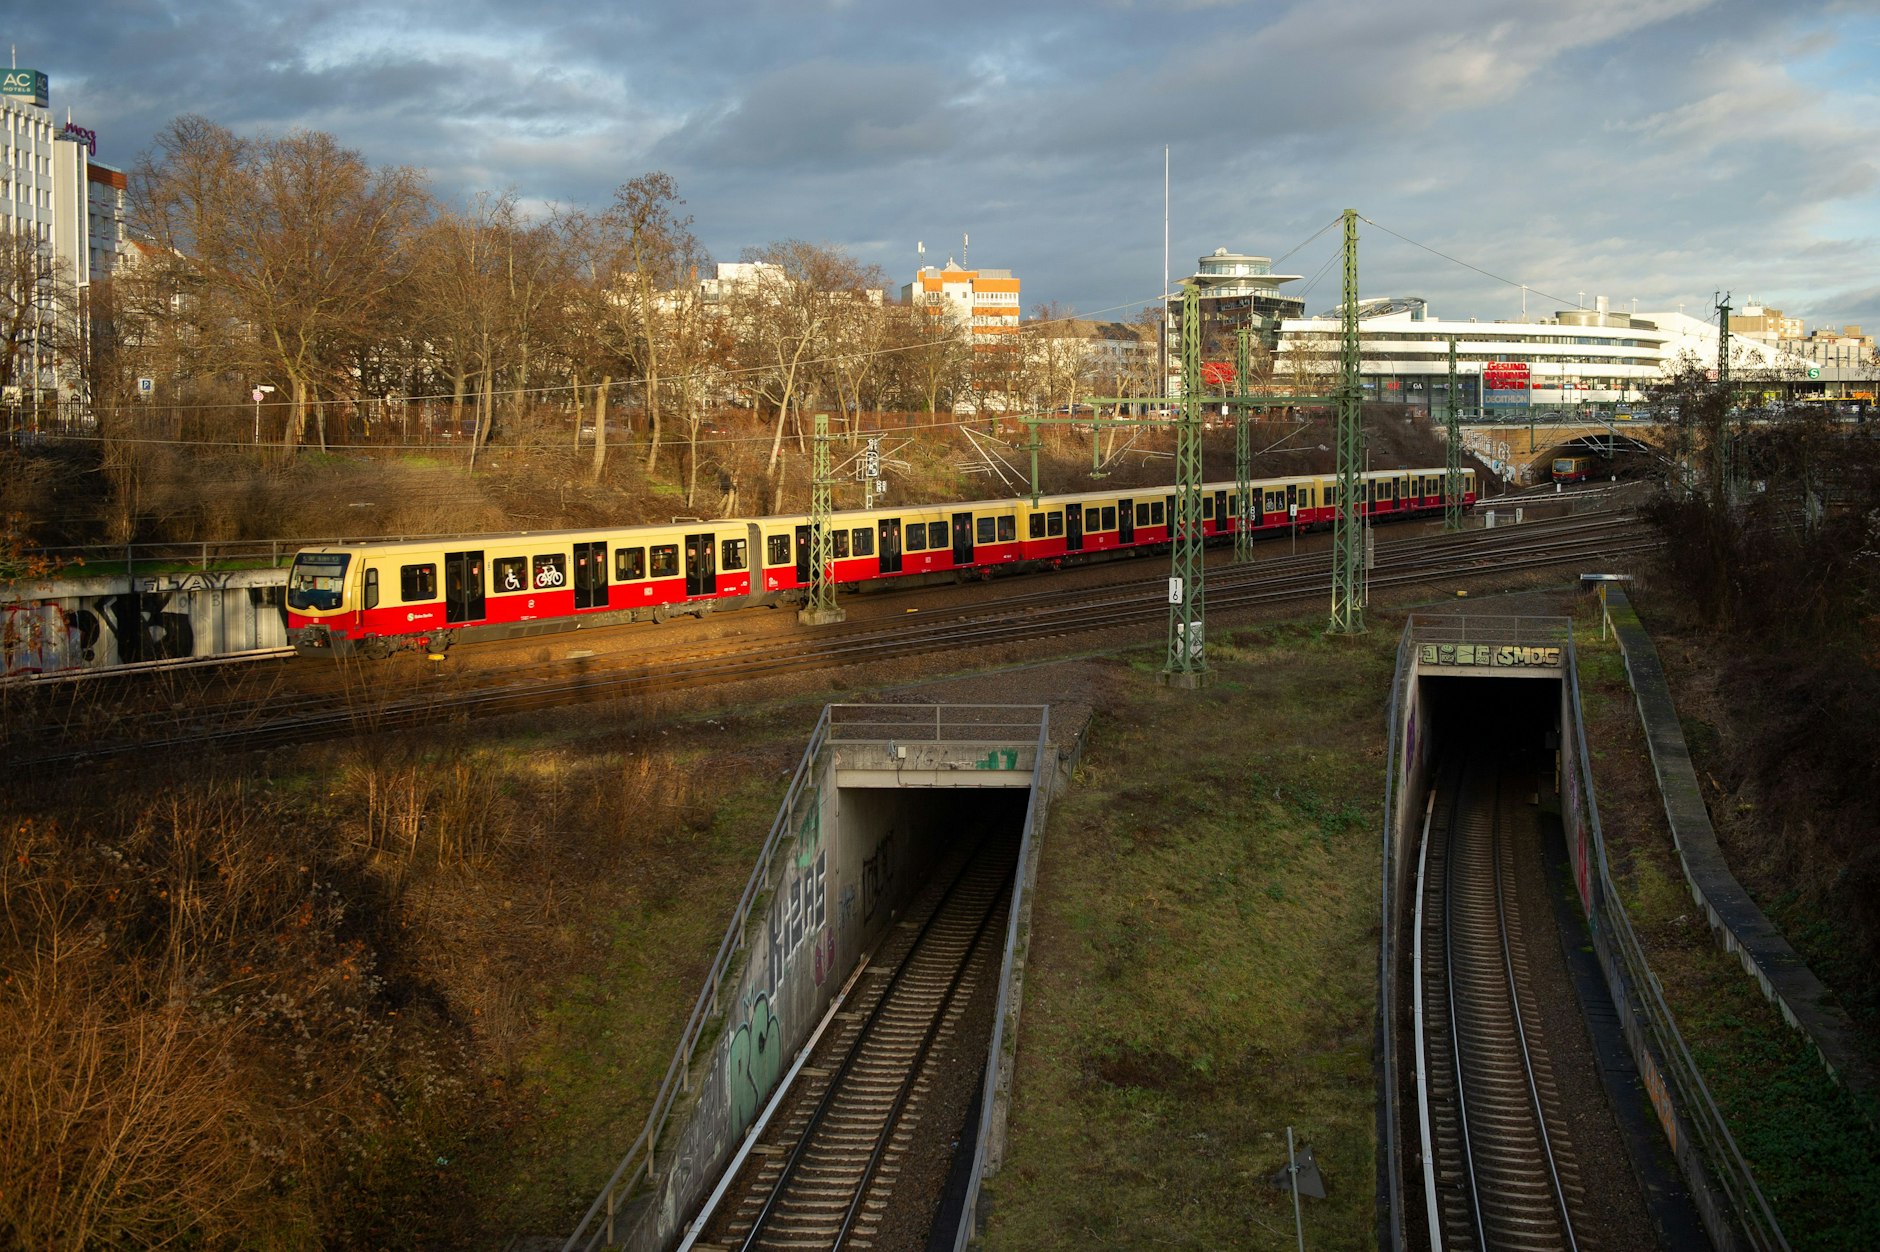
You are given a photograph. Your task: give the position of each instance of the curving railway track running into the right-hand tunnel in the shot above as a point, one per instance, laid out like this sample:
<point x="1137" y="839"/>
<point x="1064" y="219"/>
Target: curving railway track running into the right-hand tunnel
<point x="1497" y="1168"/>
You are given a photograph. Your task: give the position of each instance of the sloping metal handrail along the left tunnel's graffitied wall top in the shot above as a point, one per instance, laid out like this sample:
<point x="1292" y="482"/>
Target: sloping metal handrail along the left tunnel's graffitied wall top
<point x="638" y="1161"/>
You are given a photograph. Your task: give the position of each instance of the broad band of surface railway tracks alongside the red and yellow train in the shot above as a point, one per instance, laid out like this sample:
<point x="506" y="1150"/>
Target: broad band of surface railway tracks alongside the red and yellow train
<point x="351" y="696"/>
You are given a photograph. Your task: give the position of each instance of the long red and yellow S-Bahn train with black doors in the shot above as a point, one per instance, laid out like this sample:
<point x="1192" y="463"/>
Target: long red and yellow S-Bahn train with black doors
<point x="383" y="597"/>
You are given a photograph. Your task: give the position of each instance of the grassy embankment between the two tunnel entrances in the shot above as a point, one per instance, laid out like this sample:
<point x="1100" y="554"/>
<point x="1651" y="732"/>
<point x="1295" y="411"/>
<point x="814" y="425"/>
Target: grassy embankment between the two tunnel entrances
<point x="1204" y="962"/>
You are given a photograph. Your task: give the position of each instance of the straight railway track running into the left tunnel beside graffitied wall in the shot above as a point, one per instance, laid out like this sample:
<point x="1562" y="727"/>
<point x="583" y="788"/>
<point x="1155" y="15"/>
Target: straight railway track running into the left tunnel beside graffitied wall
<point x="828" y="1170"/>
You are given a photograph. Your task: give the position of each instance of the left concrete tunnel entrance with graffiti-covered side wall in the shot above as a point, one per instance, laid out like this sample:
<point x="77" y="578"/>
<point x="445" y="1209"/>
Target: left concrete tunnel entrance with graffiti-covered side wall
<point x="886" y="800"/>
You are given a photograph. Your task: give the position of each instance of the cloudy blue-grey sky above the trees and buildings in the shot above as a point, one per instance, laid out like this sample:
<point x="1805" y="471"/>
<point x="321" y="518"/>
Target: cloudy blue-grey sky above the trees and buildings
<point x="1638" y="149"/>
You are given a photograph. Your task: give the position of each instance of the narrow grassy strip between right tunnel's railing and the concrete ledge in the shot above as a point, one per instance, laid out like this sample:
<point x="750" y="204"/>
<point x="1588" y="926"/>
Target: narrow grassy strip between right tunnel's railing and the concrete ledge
<point x="1806" y="1140"/>
